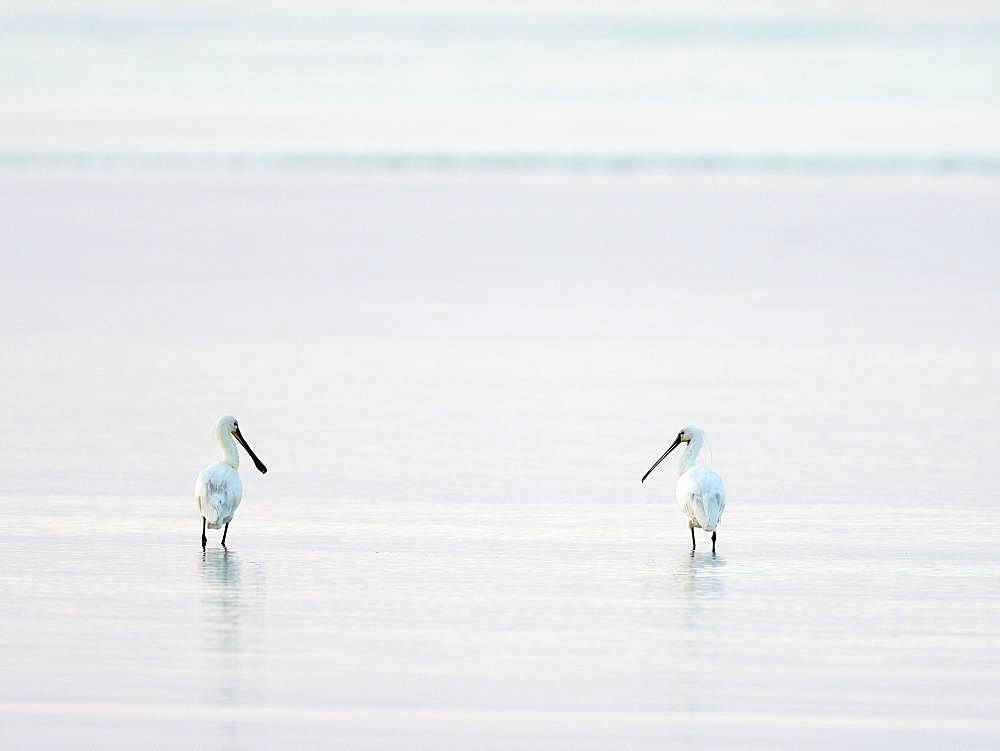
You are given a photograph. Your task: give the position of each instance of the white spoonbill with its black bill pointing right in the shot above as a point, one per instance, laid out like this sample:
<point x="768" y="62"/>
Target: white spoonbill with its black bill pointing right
<point x="218" y="489"/>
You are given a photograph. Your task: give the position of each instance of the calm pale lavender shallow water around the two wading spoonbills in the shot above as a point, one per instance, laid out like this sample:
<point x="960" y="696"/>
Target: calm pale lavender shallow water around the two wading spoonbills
<point x="452" y="547"/>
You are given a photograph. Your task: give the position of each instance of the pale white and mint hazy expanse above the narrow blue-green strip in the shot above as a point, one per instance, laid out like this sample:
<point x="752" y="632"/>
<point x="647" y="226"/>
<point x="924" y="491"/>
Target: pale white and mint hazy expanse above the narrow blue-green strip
<point x="216" y="77"/>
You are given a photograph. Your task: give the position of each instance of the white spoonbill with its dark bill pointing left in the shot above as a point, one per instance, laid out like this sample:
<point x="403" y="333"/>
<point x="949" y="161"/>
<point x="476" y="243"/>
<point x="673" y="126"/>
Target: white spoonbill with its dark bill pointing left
<point x="699" y="492"/>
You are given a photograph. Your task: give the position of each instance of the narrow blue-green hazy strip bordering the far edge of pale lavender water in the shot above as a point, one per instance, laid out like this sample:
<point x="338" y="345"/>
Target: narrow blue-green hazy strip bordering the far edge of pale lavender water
<point x="525" y="162"/>
